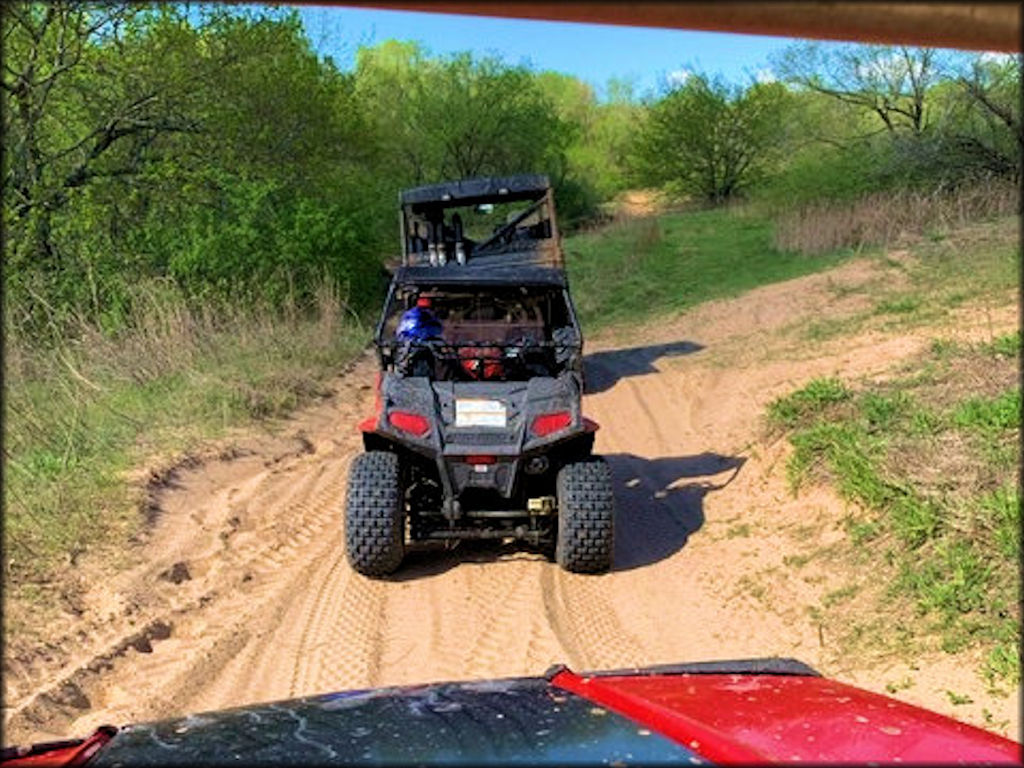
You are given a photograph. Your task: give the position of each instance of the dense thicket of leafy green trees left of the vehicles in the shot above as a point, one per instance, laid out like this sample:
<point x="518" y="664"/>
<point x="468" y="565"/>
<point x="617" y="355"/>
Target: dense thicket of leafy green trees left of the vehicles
<point x="211" y="147"/>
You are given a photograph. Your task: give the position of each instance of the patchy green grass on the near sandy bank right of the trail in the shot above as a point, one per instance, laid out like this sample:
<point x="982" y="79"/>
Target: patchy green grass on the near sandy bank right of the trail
<point x="955" y="547"/>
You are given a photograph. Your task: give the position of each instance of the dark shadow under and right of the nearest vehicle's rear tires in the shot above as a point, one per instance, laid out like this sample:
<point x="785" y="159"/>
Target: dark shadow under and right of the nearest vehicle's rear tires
<point x="659" y="504"/>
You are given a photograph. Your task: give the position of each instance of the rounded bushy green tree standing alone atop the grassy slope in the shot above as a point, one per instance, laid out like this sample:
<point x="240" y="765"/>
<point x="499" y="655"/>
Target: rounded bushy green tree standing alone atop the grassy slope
<point x="709" y="141"/>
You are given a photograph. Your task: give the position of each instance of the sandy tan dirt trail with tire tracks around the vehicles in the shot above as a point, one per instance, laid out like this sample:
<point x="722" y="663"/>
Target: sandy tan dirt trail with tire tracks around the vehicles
<point x="243" y="593"/>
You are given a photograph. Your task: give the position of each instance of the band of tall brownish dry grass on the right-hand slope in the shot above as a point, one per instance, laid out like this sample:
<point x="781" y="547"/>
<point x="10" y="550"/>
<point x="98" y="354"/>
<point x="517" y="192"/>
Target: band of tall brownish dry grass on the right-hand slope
<point x="884" y="219"/>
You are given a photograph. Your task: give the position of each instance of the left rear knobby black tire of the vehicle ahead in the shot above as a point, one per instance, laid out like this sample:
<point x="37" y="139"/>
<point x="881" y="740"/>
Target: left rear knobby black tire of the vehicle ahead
<point x="375" y="517"/>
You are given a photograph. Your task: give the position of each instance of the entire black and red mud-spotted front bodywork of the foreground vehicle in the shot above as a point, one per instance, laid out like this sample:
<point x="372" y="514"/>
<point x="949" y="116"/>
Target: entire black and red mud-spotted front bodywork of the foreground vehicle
<point x="741" y="712"/>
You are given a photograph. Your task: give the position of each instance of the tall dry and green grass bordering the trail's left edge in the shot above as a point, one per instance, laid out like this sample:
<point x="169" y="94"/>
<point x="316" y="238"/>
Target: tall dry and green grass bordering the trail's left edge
<point x="83" y="410"/>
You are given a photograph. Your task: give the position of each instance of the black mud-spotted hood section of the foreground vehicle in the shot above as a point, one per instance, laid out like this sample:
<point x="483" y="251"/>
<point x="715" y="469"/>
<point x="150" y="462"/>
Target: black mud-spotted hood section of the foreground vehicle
<point x="524" y="721"/>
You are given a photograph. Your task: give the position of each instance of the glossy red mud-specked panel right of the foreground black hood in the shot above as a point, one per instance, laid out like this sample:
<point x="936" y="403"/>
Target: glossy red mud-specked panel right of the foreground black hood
<point x="781" y="718"/>
